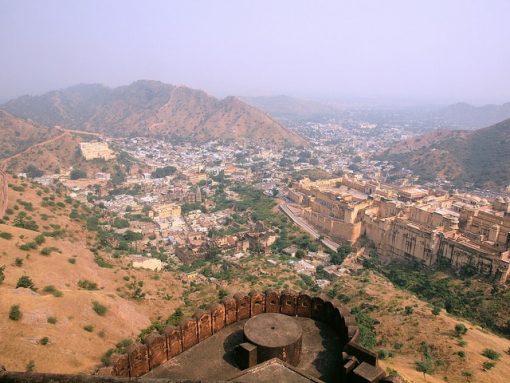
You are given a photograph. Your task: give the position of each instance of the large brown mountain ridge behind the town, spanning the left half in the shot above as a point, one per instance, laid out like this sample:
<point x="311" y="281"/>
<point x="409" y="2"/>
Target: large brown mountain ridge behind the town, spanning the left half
<point x="152" y="108"/>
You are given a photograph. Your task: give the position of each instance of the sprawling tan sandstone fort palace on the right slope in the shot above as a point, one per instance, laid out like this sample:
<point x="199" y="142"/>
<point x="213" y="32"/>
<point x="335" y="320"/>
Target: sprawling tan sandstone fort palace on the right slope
<point x="464" y="231"/>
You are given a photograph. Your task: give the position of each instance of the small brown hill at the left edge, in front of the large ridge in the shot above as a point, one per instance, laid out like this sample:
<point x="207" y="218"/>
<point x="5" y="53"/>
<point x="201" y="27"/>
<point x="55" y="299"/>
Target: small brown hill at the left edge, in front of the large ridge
<point x="17" y="134"/>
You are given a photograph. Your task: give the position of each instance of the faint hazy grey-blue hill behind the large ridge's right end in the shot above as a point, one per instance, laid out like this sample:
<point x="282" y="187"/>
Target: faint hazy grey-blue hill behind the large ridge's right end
<point x="286" y="107"/>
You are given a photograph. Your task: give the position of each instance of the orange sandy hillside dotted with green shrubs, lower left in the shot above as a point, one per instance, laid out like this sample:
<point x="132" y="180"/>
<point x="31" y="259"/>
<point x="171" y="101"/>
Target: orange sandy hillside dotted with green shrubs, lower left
<point x="50" y="277"/>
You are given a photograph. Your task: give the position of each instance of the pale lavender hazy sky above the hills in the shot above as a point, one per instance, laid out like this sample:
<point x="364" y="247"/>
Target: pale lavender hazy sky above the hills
<point x="432" y="51"/>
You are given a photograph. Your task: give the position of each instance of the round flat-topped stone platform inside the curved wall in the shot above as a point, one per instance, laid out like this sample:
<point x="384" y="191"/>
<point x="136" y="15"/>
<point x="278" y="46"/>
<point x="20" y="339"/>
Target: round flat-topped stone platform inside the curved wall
<point x="276" y="336"/>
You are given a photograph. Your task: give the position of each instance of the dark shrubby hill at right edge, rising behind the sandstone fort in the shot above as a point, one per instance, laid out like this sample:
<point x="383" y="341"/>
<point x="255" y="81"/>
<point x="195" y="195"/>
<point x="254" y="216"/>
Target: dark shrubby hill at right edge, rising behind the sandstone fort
<point x="481" y="156"/>
